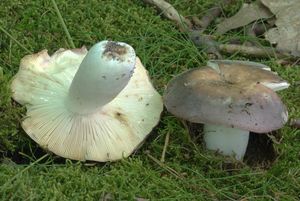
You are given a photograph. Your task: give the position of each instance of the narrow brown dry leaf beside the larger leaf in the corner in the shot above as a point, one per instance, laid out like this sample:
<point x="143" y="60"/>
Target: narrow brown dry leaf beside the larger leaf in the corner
<point x="247" y="14"/>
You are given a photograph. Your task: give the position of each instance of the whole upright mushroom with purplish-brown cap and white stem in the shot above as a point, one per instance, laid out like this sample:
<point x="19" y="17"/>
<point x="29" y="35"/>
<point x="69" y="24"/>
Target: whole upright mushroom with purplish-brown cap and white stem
<point x="231" y="98"/>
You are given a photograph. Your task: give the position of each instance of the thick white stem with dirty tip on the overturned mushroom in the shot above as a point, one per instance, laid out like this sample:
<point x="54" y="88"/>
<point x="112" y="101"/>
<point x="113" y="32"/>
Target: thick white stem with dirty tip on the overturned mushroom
<point x="103" y="73"/>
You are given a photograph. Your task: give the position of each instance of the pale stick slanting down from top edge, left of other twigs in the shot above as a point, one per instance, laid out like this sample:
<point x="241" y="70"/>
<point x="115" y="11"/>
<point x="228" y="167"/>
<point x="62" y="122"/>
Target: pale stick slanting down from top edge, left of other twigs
<point x="171" y="13"/>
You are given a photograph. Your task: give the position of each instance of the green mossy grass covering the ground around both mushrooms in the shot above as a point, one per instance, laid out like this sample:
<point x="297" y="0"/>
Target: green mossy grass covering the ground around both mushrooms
<point x="26" y="173"/>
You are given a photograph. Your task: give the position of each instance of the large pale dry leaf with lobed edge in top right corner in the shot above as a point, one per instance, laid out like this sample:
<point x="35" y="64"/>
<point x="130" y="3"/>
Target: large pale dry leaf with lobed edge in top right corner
<point x="287" y="33"/>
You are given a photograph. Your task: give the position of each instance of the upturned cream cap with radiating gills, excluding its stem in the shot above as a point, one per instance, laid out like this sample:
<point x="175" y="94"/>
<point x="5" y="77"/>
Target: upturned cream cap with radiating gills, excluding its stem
<point x="109" y="134"/>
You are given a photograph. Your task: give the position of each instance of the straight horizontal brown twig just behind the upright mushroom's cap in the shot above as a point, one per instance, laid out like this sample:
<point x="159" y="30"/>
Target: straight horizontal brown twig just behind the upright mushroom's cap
<point x="252" y="51"/>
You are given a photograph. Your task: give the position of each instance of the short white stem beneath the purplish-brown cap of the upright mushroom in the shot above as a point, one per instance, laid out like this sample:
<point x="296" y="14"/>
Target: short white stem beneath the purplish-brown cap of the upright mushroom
<point x="226" y="140"/>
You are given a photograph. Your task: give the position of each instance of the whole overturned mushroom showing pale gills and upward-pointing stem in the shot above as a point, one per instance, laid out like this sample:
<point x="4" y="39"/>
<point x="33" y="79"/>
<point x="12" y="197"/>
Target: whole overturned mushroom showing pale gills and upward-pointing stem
<point x="87" y="105"/>
